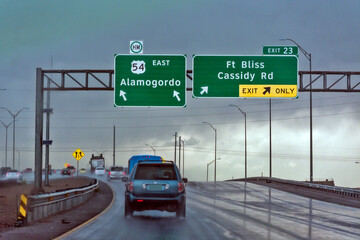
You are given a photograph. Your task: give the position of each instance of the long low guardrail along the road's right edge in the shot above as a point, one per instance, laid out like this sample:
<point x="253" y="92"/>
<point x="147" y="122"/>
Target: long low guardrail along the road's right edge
<point x="337" y="190"/>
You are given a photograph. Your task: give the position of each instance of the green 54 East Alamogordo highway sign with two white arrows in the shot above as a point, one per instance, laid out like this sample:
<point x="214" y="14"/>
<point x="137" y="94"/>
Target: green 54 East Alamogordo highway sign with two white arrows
<point x="150" y="80"/>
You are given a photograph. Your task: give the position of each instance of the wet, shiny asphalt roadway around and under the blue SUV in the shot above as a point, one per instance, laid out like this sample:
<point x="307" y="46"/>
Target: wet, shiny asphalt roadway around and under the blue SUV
<point x="228" y="210"/>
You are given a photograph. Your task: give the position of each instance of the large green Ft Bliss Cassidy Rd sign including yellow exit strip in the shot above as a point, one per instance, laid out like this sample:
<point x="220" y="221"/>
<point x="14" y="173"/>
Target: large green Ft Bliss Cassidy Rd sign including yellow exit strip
<point x="245" y="76"/>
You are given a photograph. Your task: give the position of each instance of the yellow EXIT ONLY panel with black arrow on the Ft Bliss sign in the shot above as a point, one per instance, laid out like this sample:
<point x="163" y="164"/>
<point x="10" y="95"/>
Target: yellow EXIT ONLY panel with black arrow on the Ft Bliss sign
<point x="268" y="91"/>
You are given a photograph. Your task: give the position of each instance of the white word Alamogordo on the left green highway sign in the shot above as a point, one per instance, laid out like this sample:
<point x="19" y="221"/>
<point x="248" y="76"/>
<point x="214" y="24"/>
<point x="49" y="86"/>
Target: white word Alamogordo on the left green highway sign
<point x="150" y="83"/>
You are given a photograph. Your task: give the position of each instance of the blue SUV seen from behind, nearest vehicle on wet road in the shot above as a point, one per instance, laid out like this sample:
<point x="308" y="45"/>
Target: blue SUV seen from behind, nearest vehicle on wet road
<point x="155" y="186"/>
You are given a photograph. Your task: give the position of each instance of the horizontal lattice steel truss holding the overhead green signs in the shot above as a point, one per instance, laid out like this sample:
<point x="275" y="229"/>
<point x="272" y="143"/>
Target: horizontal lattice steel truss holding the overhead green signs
<point x="77" y="80"/>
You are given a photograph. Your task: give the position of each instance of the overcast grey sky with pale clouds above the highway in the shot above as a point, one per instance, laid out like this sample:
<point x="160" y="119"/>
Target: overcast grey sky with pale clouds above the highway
<point x="87" y="34"/>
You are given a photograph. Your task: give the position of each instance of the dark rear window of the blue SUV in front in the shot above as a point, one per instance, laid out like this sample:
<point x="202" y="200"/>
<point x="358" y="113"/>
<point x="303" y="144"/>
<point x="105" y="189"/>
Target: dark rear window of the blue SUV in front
<point x="155" y="172"/>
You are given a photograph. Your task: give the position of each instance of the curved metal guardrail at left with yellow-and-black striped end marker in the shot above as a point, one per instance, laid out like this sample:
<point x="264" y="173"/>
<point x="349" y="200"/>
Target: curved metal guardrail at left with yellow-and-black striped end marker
<point x="35" y="207"/>
